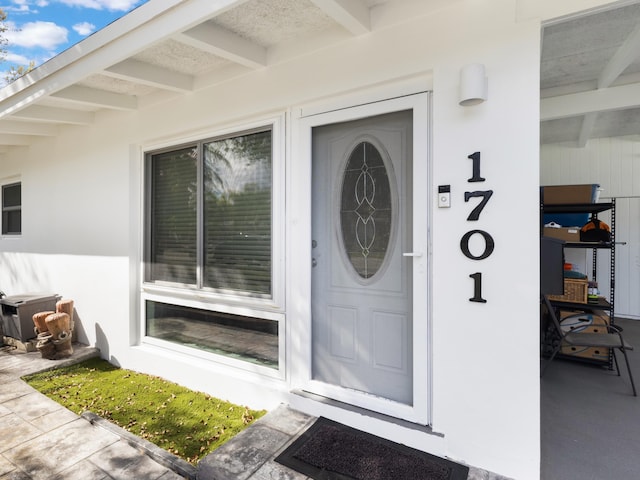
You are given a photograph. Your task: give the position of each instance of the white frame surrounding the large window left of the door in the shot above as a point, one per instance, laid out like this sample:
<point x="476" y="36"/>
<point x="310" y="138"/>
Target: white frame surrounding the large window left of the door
<point x="272" y="308"/>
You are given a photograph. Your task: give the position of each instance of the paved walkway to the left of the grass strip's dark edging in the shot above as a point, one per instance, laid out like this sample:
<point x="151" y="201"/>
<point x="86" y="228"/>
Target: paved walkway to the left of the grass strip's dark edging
<point x="41" y="440"/>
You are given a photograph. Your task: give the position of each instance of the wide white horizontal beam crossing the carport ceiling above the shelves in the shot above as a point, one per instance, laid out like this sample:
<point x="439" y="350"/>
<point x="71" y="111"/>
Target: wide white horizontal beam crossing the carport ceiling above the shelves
<point x="613" y="98"/>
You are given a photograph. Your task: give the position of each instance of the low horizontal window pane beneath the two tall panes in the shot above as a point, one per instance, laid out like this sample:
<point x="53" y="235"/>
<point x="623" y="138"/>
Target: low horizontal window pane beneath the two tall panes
<point x="250" y="339"/>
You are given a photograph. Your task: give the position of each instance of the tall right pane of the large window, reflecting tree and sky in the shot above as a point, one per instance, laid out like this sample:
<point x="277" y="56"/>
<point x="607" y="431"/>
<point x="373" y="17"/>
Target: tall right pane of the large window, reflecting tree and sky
<point x="237" y="203"/>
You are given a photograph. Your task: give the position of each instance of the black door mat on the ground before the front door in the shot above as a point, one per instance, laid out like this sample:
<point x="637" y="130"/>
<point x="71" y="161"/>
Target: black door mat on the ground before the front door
<point x="331" y="451"/>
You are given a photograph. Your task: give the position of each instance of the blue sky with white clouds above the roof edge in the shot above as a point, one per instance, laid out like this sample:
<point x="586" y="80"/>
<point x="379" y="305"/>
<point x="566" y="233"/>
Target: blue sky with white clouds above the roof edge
<point x="40" y="29"/>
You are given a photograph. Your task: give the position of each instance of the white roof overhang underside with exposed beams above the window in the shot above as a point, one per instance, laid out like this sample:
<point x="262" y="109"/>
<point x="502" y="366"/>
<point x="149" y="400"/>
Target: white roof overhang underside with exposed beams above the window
<point x="175" y="47"/>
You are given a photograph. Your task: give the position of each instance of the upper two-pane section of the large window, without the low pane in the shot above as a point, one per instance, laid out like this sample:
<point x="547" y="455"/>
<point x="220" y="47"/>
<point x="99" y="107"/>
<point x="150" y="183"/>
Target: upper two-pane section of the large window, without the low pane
<point x="209" y="215"/>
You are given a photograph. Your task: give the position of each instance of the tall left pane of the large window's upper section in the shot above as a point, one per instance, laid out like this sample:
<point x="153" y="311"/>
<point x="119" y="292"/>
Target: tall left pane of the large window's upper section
<point x="173" y="216"/>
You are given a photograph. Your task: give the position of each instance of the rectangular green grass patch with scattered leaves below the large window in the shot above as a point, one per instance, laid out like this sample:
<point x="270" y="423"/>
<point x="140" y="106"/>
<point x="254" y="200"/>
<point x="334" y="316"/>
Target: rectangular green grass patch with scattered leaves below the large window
<point x="186" y="423"/>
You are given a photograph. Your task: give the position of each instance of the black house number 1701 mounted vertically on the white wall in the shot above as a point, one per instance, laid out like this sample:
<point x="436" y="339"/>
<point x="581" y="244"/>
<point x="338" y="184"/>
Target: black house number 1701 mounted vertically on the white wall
<point x="474" y="215"/>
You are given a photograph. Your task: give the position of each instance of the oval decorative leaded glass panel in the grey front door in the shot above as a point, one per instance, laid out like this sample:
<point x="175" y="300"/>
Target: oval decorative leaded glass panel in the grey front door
<point x="365" y="212"/>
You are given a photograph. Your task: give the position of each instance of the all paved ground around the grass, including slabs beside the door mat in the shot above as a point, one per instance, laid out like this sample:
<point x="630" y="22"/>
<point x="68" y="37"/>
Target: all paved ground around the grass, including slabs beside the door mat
<point x="41" y="440"/>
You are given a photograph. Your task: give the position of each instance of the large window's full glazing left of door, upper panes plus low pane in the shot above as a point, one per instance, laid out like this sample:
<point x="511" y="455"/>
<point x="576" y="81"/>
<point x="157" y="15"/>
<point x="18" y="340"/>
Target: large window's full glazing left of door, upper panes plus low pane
<point x="209" y="233"/>
